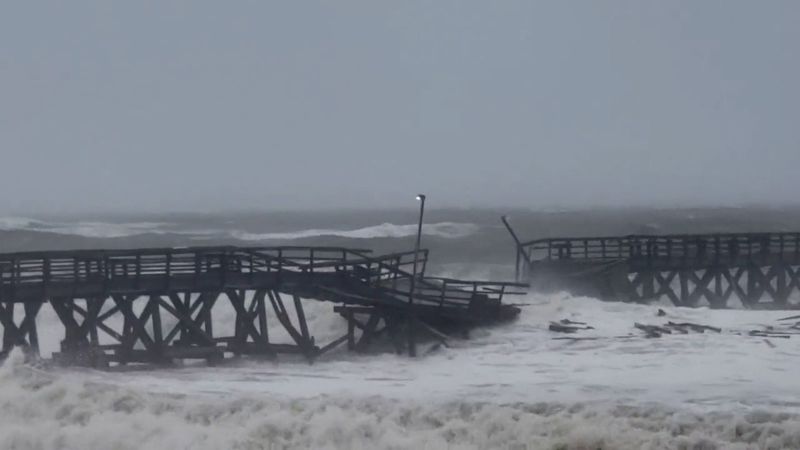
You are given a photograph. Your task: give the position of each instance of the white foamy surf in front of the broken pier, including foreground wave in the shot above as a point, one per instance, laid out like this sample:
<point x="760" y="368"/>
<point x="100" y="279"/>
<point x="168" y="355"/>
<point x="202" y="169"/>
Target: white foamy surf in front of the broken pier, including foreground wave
<point x="512" y="386"/>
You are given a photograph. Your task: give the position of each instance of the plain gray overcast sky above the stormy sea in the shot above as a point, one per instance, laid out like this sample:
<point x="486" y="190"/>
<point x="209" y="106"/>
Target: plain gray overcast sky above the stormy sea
<point x="205" y="105"/>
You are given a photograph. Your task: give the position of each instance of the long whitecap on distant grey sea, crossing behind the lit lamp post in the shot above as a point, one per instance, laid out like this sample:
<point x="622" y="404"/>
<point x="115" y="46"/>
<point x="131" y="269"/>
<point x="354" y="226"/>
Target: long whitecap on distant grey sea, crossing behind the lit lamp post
<point x="453" y="230"/>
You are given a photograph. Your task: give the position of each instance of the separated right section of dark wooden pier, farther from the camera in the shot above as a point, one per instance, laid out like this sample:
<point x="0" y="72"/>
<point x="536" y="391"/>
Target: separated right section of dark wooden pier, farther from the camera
<point x="751" y="270"/>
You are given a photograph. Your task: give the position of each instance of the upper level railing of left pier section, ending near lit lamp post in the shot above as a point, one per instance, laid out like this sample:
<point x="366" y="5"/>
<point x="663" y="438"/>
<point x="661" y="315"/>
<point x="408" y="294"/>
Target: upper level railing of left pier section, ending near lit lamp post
<point x="45" y="268"/>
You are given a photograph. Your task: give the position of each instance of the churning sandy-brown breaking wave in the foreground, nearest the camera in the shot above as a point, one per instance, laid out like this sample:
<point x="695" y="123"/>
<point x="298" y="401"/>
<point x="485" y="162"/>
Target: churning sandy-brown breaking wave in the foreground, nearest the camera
<point x="40" y="410"/>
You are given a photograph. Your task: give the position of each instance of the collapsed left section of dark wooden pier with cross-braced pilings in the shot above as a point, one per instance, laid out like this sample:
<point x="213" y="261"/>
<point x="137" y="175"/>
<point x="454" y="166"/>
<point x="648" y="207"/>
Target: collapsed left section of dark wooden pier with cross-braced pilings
<point x="127" y="297"/>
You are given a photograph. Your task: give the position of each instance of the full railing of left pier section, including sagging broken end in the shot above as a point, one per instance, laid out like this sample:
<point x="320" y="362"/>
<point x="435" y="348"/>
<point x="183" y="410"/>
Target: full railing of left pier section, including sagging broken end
<point x="68" y="273"/>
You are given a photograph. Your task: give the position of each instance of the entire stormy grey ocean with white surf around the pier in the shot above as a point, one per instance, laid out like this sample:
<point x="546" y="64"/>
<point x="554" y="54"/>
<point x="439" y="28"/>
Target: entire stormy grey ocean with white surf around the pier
<point x="512" y="386"/>
